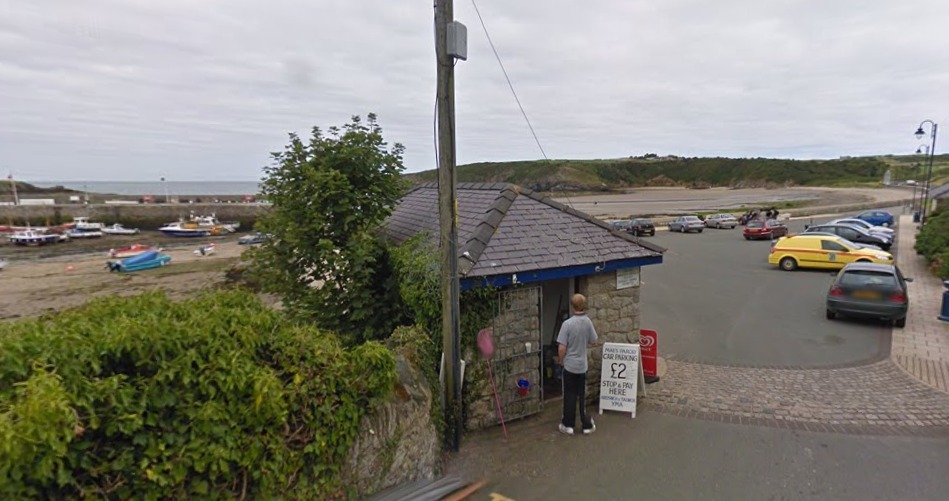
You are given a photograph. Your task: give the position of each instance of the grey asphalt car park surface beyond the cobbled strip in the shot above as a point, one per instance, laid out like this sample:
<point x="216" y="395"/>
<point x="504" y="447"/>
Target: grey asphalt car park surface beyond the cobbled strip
<point x="716" y="300"/>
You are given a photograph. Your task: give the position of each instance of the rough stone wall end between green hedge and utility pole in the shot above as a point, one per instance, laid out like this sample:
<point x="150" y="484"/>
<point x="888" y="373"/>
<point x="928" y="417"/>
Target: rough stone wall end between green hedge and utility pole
<point x="397" y="441"/>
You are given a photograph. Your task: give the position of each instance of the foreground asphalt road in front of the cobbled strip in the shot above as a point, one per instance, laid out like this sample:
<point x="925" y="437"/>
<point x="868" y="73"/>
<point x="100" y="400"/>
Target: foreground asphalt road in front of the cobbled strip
<point x="672" y="458"/>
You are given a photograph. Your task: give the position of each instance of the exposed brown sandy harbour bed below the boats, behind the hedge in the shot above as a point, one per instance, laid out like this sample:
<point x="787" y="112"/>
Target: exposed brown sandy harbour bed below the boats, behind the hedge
<point x="32" y="287"/>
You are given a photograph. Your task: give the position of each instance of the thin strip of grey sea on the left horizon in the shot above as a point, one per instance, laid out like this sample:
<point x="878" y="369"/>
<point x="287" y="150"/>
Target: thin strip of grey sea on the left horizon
<point x="158" y="188"/>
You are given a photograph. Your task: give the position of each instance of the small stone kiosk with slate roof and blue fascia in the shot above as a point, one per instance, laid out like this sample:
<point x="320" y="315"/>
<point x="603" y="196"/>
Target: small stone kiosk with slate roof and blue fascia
<point x="537" y="253"/>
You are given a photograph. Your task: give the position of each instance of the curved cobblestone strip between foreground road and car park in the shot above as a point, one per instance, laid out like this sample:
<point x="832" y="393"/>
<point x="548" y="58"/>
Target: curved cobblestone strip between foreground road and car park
<point x="876" y="399"/>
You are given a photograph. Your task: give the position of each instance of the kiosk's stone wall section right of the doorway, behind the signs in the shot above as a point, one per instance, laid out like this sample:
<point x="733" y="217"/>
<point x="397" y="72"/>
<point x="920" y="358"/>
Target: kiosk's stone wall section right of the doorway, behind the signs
<point x="615" y="315"/>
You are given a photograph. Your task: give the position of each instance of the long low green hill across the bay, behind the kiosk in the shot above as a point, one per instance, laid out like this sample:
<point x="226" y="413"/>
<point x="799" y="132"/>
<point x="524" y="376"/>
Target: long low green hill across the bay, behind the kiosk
<point x="601" y="175"/>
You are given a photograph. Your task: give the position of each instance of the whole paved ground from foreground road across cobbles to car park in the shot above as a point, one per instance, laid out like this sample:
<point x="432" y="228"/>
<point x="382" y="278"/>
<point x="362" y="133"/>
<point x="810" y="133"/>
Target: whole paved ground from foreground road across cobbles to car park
<point x="739" y="428"/>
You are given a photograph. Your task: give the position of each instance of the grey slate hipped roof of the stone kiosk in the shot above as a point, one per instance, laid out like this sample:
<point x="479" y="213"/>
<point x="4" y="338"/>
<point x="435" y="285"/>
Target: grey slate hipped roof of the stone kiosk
<point x="503" y="228"/>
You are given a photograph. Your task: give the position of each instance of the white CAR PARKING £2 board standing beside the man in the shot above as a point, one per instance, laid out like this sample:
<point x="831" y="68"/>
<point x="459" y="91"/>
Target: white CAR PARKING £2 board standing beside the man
<point x="619" y="377"/>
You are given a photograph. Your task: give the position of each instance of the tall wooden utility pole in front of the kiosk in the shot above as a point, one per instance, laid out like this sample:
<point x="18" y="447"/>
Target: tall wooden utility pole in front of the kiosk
<point x="448" y="224"/>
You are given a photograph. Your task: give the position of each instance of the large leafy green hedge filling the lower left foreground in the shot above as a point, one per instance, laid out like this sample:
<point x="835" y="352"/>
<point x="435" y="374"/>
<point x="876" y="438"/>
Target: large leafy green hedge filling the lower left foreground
<point x="147" y="398"/>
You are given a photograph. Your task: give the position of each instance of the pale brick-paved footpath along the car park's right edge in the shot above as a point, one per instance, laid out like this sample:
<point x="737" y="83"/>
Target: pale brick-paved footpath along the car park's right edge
<point x="922" y="347"/>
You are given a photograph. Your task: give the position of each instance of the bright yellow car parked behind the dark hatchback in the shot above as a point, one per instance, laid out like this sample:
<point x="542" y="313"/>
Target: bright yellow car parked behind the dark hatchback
<point x="822" y="251"/>
